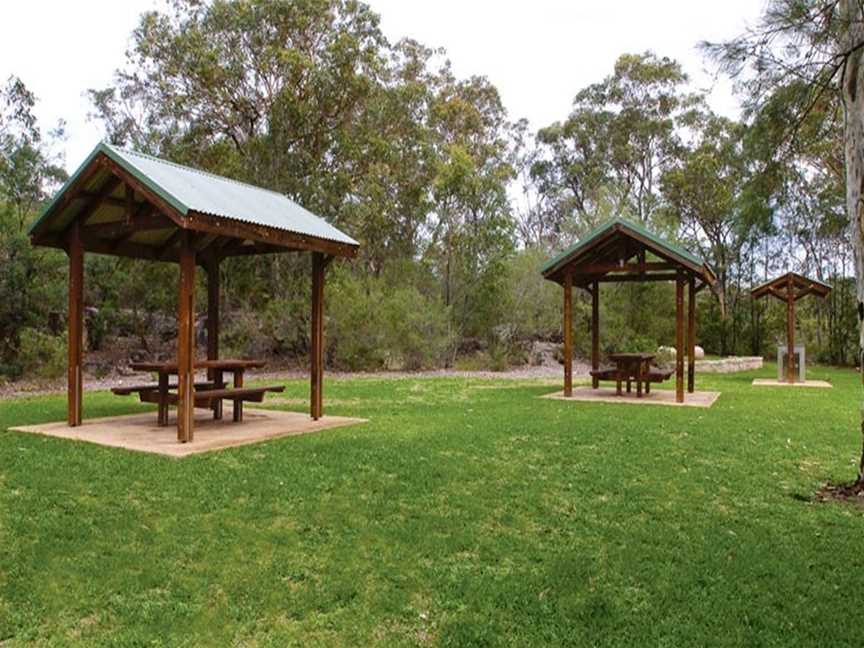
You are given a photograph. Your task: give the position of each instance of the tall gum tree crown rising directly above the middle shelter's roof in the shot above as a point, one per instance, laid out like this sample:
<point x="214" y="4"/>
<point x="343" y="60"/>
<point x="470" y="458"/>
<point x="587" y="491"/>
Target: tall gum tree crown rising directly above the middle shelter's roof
<point x="607" y="157"/>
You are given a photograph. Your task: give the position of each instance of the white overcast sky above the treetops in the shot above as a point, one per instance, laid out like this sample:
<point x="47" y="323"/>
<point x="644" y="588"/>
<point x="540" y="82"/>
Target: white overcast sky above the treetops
<point x="538" y="54"/>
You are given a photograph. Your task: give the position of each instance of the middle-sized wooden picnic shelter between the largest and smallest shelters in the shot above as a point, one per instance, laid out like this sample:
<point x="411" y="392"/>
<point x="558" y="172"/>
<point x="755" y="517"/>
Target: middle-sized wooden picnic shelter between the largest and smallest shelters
<point x="622" y="251"/>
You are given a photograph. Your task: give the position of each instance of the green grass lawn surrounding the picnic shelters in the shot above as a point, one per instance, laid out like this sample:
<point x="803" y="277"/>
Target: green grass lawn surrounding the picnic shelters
<point x="465" y="513"/>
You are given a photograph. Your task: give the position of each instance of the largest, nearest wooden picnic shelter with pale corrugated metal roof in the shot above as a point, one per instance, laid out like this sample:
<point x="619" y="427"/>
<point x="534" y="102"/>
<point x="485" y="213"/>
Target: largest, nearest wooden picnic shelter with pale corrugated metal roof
<point x="128" y="204"/>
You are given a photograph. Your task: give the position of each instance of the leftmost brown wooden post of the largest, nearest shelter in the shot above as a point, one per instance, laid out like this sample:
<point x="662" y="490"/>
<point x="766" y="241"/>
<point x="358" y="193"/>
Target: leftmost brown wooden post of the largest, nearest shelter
<point x="75" y="346"/>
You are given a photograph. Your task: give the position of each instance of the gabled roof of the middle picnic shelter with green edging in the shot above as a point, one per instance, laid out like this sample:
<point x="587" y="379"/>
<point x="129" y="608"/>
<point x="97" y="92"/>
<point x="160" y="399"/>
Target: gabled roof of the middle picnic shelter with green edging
<point x="601" y="243"/>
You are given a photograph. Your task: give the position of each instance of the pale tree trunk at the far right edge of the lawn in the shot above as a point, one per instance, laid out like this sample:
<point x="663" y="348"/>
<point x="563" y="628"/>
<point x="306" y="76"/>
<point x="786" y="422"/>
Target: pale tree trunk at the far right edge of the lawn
<point x="852" y="90"/>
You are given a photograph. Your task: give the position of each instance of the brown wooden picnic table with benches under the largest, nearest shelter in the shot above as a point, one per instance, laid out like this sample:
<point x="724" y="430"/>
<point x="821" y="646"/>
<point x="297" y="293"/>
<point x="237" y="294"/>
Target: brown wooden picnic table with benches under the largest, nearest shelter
<point x="210" y="393"/>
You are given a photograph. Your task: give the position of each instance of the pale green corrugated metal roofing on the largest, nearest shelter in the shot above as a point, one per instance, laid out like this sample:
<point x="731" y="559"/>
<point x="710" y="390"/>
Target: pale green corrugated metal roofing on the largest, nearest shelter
<point x="188" y="189"/>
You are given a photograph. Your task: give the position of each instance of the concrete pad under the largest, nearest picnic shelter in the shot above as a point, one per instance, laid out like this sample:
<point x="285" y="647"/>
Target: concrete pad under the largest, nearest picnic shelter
<point x="140" y="432"/>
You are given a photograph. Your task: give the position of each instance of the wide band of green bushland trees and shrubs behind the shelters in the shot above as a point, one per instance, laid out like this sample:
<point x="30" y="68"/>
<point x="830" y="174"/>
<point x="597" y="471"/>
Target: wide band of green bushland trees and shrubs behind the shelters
<point x="385" y="141"/>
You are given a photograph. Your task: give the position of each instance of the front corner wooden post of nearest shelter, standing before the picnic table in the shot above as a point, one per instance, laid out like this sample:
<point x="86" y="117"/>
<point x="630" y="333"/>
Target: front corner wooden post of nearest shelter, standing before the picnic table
<point x="186" y="342"/>
